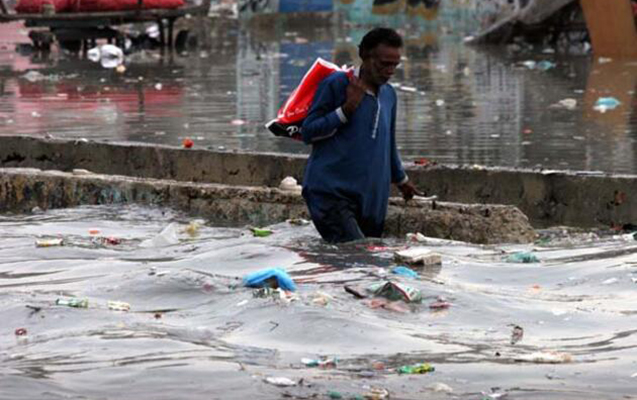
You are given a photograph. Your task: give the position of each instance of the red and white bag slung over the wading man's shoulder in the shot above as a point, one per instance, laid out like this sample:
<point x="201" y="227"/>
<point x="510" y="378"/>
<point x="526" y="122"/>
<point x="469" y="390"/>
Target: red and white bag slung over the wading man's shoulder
<point x="291" y="115"/>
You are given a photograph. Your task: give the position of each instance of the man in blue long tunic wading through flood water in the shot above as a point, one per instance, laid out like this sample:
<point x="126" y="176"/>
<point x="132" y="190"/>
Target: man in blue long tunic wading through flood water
<point x="351" y="127"/>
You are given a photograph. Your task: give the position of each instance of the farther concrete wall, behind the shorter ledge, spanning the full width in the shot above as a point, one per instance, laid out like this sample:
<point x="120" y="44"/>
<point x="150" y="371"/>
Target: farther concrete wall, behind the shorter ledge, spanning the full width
<point x="548" y="199"/>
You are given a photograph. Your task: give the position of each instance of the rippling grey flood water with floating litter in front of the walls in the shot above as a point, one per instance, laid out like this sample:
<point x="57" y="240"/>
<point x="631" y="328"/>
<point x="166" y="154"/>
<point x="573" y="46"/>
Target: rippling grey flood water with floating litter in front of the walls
<point x="193" y="331"/>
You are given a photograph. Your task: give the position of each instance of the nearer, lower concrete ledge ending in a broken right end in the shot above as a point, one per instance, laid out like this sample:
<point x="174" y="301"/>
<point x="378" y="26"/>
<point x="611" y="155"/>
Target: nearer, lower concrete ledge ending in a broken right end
<point x="23" y="189"/>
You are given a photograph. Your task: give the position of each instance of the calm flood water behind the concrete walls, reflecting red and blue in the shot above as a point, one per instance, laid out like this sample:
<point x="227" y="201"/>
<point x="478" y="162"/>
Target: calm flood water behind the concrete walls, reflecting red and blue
<point x="457" y="104"/>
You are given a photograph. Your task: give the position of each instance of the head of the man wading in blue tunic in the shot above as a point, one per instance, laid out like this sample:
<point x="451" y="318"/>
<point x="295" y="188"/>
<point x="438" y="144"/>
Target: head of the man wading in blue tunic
<point x="380" y="51"/>
